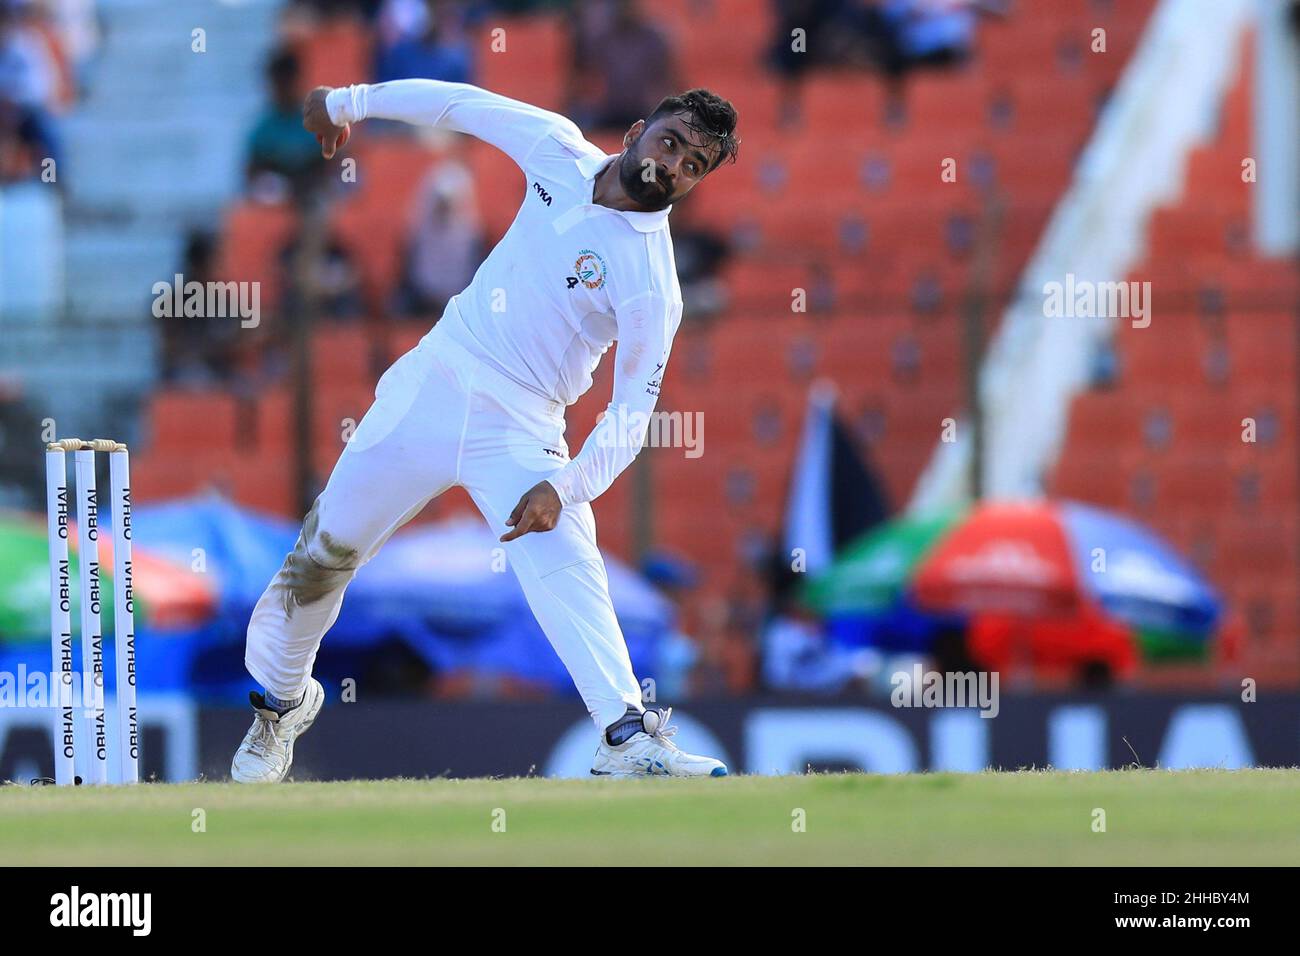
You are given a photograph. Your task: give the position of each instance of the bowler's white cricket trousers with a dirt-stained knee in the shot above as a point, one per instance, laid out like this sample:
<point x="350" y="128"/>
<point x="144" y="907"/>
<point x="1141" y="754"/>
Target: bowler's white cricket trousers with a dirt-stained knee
<point x="443" y="418"/>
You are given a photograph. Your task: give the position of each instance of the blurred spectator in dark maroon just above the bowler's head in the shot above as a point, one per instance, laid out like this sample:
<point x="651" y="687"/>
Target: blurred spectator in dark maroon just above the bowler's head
<point x="623" y="66"/>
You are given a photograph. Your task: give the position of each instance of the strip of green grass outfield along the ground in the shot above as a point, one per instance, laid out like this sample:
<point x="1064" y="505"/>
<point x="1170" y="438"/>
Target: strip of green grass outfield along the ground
<point x="1212" y="817"/>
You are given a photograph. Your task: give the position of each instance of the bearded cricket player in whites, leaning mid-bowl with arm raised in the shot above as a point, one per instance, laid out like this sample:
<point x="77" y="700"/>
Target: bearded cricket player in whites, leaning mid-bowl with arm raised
<point x="480" y="404"/>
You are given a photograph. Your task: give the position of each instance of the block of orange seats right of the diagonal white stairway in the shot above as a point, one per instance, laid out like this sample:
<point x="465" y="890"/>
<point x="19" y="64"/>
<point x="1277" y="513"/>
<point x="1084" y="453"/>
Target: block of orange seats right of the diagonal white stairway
<point x="1210" y="360"/>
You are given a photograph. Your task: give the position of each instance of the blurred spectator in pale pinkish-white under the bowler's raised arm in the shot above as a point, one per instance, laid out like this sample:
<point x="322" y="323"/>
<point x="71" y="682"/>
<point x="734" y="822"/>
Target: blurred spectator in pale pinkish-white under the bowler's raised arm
<point x="445" y="243"/>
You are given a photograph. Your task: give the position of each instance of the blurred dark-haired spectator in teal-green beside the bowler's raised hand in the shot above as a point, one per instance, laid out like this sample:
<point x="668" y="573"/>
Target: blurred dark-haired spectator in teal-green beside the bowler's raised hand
<point x="283" y="157"/>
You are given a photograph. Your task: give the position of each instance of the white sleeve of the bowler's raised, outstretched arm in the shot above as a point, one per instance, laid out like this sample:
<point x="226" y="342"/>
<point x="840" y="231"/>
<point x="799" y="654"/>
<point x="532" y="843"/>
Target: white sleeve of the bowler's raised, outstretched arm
<point x="512" y="126"/>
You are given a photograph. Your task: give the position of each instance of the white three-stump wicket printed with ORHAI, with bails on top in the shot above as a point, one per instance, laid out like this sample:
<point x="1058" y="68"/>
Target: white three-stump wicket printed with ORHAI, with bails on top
<point x="96" y="763"/>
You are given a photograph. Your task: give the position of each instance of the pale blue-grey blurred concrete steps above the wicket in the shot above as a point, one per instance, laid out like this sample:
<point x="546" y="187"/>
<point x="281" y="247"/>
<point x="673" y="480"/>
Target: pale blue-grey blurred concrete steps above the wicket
<point x="154" y="149"/>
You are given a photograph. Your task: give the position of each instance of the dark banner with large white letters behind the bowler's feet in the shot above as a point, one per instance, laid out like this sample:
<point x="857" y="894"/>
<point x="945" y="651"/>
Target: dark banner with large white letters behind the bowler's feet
<point x="761" y="736"/>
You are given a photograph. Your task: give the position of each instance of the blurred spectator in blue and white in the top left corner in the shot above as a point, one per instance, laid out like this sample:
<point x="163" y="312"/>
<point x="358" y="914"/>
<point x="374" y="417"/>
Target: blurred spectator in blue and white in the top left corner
<point x="29" y="92"/>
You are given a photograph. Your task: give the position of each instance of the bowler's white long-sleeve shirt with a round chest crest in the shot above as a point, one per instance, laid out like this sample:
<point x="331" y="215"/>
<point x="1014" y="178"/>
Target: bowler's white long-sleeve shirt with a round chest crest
<point x="569" y="278"/>
